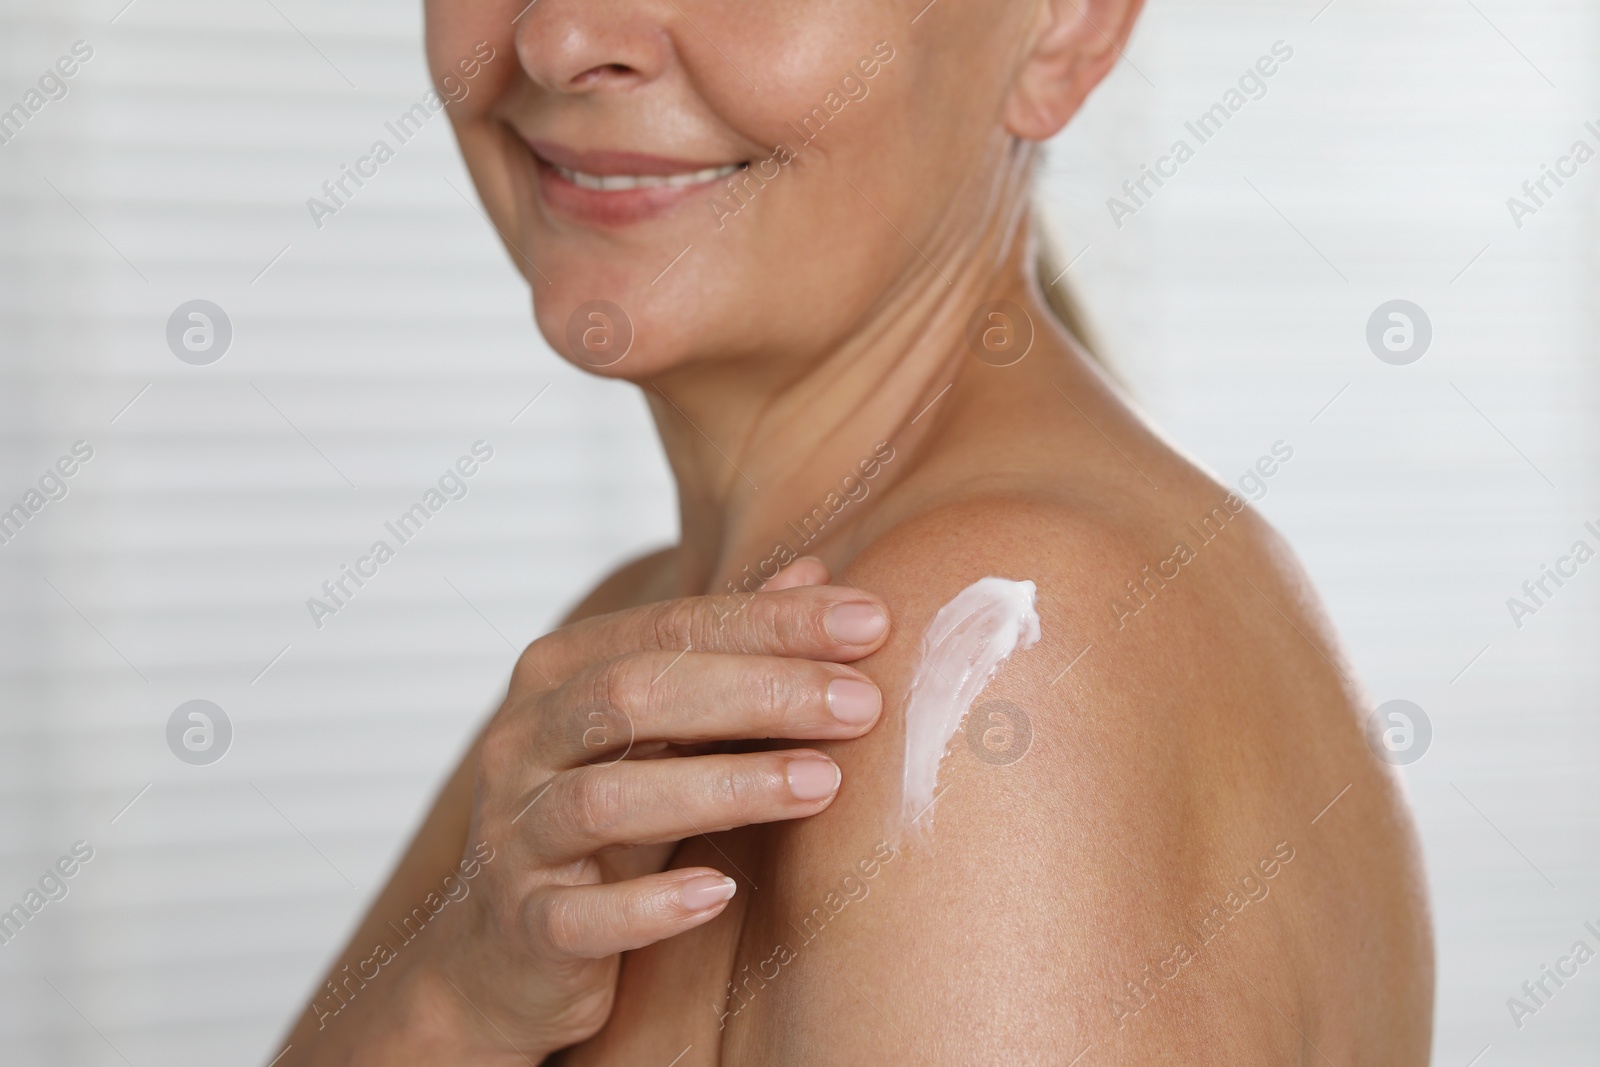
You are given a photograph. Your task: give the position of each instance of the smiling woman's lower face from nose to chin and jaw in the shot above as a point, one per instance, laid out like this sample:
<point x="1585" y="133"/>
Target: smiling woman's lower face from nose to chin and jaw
<point x="706" y="180"/>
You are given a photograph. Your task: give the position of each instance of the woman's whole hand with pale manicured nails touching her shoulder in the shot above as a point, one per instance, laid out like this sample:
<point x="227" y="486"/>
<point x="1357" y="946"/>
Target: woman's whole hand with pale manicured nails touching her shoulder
<point x="606" y="756"/>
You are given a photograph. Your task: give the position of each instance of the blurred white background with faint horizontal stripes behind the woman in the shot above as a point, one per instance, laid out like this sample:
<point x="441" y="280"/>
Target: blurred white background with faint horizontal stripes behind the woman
<point x="375" y="351"/>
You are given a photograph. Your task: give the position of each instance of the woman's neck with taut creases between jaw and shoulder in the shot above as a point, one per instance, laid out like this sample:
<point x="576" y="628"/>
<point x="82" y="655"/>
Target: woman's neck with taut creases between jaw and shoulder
<point x="774" y="465"/>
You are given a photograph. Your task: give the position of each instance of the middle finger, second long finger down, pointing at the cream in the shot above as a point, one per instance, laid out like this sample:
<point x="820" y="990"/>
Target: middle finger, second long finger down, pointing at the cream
<point x="686" y="698"/>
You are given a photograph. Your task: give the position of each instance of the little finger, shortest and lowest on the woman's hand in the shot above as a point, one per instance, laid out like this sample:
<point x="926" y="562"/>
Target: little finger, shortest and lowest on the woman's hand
<point x="593" y="922"/>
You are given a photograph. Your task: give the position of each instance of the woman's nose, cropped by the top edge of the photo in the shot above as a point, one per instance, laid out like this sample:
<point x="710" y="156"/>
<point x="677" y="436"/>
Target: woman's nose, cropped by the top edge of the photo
<point x="594" y="46"/>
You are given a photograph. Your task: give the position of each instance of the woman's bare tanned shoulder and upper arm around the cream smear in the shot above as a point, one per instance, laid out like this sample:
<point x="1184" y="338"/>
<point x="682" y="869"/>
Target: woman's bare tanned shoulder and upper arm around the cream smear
<point x="1132" y="847"/>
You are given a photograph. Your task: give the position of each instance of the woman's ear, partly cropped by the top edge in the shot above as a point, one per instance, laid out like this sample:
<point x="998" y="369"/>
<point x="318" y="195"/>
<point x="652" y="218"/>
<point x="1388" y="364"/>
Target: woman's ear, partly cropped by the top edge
<point x="1074" y="46"/>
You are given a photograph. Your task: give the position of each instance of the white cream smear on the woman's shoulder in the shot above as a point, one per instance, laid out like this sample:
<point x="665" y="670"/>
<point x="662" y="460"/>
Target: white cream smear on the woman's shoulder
<point x="966" y="645"/>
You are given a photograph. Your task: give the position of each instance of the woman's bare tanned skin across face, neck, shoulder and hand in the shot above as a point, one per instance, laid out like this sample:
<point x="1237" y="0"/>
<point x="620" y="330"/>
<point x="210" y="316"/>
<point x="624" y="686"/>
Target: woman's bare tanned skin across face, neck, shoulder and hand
<point x="1194" y="861"/>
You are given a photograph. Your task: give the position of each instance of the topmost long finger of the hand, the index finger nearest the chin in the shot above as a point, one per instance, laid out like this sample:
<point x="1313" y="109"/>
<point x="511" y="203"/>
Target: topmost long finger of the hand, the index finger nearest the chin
<point x="828" y="623"/>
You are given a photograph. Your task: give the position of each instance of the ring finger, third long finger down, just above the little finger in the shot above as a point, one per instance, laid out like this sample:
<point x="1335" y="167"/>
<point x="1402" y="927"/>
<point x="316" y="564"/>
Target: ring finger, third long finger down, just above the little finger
<point x="646" y="802"/>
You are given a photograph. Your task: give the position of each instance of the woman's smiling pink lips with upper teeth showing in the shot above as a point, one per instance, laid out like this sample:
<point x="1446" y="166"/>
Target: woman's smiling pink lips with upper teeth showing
<point x="618" y="188"/>
